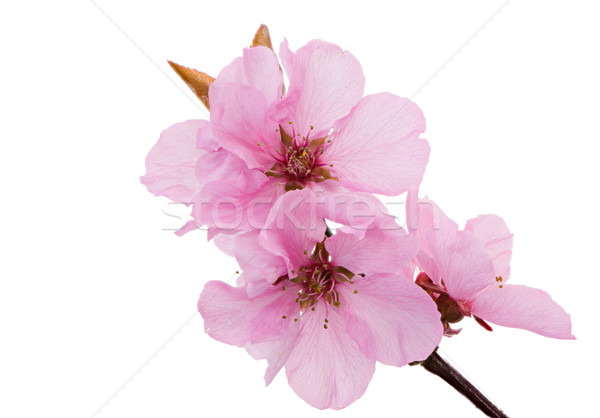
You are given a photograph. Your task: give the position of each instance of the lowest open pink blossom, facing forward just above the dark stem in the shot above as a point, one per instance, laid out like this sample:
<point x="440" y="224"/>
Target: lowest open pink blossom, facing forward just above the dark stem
<point x="325" y="308"/>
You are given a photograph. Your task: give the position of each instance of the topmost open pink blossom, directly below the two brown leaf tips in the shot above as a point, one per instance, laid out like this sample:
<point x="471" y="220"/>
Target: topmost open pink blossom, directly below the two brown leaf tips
<point x="322" y="134"/>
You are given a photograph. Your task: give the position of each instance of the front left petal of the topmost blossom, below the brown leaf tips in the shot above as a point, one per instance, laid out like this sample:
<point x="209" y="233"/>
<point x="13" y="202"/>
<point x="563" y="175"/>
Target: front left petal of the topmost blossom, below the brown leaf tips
<point x="239" y="121"/>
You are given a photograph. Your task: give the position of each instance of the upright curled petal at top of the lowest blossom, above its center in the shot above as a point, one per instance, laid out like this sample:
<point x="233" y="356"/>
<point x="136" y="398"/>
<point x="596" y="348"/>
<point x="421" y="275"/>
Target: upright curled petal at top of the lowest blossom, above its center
<point x="293" y="228"/>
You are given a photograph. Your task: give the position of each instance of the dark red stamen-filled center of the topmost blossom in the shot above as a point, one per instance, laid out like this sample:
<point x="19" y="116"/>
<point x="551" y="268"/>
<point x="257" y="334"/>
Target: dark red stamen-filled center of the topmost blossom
<point x="298" y="160"/>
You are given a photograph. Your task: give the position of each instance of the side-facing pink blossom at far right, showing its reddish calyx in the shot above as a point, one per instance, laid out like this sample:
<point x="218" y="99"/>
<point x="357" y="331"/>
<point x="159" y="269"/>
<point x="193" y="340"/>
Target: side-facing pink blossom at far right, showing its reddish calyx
<point x="466" y="272"/>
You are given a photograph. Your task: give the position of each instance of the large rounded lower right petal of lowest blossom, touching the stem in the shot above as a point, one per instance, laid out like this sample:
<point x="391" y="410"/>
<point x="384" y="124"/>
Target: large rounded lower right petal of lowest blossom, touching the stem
<point x="393" y="320"/>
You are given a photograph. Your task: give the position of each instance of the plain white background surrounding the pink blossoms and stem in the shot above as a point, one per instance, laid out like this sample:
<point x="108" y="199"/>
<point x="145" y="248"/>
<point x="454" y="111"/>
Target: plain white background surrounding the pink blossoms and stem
<point x="93" y="287"/>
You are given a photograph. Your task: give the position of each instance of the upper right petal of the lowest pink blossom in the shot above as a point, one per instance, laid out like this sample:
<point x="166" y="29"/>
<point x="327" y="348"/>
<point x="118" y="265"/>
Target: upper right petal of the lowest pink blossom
<point x="379" y="251"/>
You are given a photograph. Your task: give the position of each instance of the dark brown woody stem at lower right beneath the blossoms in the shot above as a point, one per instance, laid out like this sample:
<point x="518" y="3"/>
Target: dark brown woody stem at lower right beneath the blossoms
<point x="437" y="365"/>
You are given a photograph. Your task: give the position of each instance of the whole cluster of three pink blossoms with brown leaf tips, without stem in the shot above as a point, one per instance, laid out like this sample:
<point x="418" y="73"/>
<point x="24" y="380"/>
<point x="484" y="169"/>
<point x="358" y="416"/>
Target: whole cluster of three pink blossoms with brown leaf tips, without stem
<point x="266" y="174"/>
